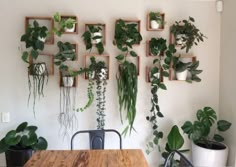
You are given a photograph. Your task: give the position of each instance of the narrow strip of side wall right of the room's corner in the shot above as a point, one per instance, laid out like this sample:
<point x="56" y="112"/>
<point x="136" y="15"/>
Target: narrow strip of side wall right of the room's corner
<point x="227" y="80"/>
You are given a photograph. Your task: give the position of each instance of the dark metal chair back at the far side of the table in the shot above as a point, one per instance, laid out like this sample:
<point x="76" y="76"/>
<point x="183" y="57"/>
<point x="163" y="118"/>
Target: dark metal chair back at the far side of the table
<point x="96" y="138"/>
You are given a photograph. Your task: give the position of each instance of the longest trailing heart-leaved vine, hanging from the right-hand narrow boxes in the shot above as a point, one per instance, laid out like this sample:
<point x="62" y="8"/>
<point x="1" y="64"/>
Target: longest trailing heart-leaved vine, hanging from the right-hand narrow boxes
<point x="161" y="64"/>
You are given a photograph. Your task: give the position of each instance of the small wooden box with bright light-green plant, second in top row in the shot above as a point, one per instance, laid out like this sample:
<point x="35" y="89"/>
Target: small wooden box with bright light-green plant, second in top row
<point x="66" y="24"/>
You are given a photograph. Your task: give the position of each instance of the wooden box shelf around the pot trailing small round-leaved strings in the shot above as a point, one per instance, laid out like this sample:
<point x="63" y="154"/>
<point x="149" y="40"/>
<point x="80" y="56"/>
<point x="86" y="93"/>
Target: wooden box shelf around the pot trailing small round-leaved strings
<point x="103" y="57"/>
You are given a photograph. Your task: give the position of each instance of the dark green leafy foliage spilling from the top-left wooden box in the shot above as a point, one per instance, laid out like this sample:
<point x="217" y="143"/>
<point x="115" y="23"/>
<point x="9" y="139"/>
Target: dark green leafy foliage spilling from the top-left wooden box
<point x="32" y="40"/>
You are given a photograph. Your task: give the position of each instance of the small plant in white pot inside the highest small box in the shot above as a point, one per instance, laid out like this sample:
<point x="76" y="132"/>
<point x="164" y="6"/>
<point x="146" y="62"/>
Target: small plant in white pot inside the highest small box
<point x="156" y="20"/>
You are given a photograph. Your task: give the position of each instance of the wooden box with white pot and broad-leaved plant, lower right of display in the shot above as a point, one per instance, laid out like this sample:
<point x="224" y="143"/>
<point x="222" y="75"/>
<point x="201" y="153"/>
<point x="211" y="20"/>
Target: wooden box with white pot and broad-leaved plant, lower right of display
<point x="185" y="68"/>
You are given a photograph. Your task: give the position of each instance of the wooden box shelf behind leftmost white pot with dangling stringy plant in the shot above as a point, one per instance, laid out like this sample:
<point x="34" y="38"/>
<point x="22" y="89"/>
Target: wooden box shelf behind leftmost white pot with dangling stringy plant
<point x="49" y="63"/>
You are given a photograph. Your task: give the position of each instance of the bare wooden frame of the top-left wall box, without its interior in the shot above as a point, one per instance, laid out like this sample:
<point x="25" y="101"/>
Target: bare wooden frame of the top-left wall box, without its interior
<point x="51" y="39"/>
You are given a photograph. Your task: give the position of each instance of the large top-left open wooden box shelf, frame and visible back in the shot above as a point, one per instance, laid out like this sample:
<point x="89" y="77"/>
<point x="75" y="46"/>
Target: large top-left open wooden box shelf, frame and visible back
<point x="43" y="21"/>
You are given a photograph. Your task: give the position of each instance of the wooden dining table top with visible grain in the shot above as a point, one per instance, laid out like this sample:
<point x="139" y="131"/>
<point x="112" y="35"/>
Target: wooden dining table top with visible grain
<point x="88" y="158"/>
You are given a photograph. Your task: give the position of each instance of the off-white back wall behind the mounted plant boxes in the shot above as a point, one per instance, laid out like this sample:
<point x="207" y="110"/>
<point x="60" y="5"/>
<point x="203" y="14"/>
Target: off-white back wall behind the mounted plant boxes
<point x="178" y="104"/>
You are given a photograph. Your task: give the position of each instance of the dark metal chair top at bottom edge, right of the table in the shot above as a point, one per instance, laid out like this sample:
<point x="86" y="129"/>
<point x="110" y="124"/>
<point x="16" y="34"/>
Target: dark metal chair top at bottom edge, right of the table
<point x="184" y="162"/>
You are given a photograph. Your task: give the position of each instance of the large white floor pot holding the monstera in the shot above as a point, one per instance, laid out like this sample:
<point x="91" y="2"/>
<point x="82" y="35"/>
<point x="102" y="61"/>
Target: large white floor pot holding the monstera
<point x="208" y="157"/>
